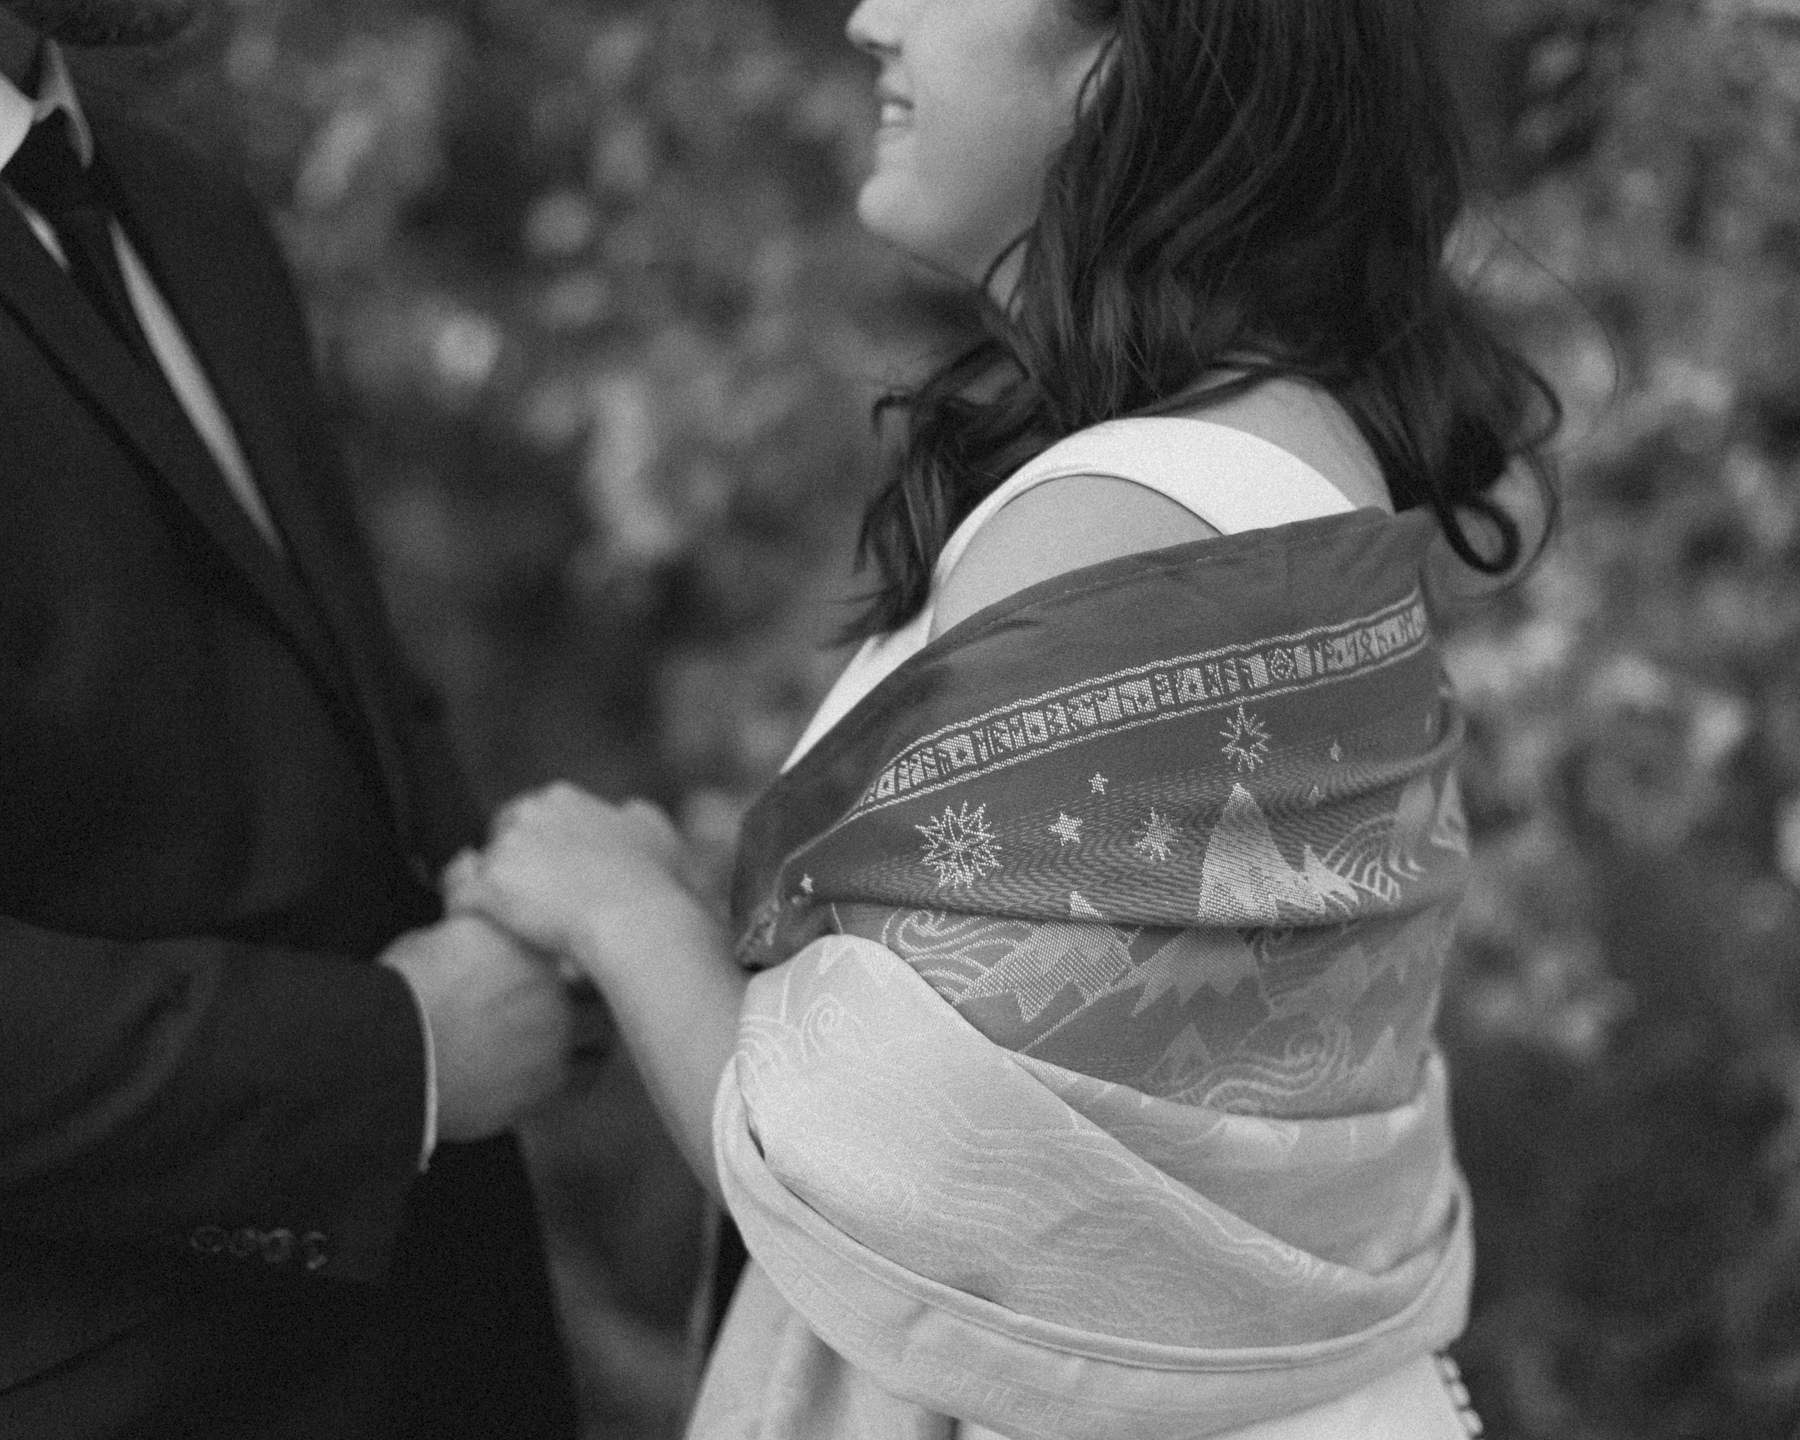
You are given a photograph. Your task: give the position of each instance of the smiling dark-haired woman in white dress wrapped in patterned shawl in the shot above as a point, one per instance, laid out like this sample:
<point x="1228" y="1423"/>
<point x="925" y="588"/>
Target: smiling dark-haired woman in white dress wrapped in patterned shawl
<point x="1066" y="1063"/>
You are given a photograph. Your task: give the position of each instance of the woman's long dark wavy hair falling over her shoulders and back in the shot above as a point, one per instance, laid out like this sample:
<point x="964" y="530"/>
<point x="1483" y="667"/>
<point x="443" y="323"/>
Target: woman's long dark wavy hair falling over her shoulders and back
<point x="1254" y="188"/>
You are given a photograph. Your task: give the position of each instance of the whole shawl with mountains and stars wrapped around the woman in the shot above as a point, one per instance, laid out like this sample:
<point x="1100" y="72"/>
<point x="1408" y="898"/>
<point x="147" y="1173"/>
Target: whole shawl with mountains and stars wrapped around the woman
<point x="1167" y="780"/>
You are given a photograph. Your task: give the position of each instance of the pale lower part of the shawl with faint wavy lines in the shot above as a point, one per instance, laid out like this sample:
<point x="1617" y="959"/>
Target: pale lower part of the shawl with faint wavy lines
<point x="966" y="1232"/>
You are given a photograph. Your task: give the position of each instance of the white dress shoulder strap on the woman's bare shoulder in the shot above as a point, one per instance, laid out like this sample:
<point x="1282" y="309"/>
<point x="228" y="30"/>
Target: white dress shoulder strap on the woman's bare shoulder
<point x="1230" y="480"/>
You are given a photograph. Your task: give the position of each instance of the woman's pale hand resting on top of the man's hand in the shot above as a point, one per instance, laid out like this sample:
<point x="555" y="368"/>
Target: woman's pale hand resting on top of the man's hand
<point x="591" y="883"/>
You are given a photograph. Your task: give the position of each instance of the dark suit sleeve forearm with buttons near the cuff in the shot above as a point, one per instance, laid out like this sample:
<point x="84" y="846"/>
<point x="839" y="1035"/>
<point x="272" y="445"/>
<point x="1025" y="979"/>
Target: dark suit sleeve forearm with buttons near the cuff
<point x="206" y="1102"/>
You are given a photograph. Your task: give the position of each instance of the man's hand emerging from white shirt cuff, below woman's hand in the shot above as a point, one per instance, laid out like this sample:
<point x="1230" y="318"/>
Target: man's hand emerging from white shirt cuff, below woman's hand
<point x="501" y="1023"/>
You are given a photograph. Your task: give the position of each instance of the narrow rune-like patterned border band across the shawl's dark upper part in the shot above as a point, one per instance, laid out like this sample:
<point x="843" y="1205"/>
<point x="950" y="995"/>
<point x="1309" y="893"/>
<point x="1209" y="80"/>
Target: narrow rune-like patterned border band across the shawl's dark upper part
<point x="1216" y="679"/>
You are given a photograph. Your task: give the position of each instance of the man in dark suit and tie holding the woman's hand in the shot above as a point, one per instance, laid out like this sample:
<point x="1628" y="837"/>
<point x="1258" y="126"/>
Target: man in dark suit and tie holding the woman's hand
<point x="255" y="1178"/>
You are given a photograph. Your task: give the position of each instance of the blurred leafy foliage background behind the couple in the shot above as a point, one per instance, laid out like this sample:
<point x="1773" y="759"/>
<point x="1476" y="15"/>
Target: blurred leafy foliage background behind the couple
<point x="604" y="336"/>
